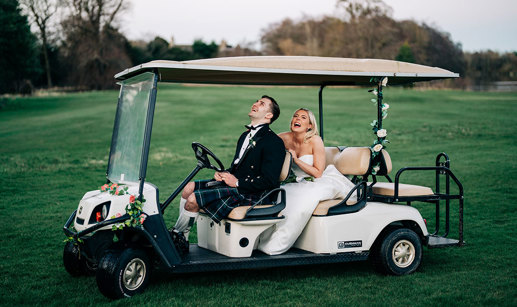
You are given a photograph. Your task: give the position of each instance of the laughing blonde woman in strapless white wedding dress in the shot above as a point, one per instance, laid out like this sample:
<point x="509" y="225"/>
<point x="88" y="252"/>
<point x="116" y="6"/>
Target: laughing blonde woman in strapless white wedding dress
<point x="314" y="183"/>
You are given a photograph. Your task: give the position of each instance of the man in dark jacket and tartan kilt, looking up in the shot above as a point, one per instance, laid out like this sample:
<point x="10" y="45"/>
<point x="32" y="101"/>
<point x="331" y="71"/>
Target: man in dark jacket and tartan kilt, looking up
<point x="255" y="170"/>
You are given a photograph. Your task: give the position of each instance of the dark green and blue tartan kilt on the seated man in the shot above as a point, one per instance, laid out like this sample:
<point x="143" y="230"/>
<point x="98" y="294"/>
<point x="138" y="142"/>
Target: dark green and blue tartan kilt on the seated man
<point x="219" y="201"/>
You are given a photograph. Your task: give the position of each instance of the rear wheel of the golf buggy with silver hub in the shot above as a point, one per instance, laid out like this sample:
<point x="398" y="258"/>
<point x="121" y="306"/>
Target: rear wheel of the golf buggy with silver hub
<point x="399" y="253"/>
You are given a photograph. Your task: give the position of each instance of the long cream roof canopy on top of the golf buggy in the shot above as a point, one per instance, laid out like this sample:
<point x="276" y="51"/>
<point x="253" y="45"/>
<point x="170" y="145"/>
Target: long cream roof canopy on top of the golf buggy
<point x="287" y="70"/>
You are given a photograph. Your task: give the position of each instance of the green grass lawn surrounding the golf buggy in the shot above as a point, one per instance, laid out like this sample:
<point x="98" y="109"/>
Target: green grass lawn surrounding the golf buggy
<point x="54" y="149"/>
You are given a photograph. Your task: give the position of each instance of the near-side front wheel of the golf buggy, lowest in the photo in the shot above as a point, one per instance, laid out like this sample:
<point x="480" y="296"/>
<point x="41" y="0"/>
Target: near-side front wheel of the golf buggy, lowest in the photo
<point x="123" y="273"/>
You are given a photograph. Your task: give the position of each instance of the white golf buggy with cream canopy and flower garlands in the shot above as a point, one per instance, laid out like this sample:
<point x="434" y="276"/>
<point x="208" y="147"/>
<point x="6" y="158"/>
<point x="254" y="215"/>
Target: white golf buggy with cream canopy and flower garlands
<point x="119" y="232"/>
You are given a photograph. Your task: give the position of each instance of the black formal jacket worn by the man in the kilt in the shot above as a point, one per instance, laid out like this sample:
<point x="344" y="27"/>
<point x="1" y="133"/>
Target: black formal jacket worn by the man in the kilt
<point x="261" y="164"/>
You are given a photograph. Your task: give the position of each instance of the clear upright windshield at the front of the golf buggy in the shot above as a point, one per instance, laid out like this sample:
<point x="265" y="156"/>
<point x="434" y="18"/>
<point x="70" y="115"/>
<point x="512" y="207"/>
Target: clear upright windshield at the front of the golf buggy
<point x="127" y="142"/>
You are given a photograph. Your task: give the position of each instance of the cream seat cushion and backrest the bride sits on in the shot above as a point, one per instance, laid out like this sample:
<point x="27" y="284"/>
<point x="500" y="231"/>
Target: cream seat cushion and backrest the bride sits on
<point x="354" y="161"/>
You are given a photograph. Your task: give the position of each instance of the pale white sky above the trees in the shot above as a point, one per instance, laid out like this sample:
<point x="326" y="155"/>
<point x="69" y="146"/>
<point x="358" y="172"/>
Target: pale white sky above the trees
<point x="476" y="24"/>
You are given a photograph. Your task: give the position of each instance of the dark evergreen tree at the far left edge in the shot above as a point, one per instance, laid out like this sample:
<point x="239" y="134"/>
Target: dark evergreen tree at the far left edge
<point x="19" y="57"/>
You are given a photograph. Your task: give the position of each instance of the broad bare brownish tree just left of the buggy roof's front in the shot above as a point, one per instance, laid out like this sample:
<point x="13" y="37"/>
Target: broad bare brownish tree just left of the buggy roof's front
<point x="94" y="48"/>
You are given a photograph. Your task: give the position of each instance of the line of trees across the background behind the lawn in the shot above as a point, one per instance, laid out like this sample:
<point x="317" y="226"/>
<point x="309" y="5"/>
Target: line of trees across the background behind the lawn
<point x="77" y="44"/>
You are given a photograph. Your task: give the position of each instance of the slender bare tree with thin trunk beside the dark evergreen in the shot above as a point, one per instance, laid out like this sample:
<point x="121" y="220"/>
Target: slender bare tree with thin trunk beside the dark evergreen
<point x="41" y="12"/>
